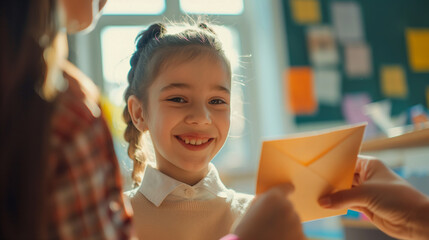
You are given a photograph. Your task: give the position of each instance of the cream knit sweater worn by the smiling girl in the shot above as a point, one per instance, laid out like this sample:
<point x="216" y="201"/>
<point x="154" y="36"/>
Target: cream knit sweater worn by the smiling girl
<point x="190" y="220"/>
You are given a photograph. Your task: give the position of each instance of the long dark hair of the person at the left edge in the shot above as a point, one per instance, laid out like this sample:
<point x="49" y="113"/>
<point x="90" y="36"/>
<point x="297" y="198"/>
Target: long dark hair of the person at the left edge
<point x="27" y="28"/>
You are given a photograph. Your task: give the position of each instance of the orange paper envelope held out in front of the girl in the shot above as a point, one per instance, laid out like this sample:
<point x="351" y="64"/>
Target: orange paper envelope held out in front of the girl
<point x="316" y="163"/>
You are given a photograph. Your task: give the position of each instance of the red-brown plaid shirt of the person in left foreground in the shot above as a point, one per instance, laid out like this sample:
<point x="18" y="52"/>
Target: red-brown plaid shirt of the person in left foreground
<point x="86" y="200"/>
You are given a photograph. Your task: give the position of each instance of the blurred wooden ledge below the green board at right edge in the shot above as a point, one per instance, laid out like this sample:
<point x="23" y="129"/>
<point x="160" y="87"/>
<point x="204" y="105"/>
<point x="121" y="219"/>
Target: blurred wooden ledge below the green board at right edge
<point x="417" y="138"/>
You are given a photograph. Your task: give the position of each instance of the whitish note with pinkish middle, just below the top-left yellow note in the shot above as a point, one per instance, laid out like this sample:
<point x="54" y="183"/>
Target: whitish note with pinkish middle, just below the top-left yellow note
<point x="321" y="46"/>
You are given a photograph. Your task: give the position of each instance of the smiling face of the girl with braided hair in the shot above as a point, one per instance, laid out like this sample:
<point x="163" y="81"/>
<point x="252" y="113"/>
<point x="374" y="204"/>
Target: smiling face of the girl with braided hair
<point x="188" y="116"/>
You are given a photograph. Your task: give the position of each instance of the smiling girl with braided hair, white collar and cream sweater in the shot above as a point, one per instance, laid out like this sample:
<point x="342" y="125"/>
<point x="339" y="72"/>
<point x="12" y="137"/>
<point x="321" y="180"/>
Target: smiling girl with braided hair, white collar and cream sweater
<point x="180" y="91"/>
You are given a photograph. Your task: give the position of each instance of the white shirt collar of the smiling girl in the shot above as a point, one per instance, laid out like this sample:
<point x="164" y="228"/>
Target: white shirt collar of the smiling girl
<point x="156" y="186"/>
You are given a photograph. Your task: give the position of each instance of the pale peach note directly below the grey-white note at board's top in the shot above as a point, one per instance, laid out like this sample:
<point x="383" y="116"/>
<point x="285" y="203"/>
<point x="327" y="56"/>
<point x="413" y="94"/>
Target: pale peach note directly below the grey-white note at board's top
<point x="358" y="60"/>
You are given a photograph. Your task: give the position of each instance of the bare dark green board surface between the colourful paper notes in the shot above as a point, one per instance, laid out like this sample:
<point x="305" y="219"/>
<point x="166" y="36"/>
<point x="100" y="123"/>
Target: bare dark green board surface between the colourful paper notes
<point x="384" y="25"/>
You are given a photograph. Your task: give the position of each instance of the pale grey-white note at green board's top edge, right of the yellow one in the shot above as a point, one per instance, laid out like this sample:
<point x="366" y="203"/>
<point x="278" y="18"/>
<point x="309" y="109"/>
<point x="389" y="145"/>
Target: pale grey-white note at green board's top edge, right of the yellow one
<point x="347" y="20"/>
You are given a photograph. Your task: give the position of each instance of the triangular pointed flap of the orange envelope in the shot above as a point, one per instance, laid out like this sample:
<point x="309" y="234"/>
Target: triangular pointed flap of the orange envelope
<point x="308" y="148"/>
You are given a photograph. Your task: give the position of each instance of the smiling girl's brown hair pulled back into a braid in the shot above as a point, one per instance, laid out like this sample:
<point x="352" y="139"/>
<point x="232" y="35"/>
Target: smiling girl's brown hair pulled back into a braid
<point x="154" y="51"/>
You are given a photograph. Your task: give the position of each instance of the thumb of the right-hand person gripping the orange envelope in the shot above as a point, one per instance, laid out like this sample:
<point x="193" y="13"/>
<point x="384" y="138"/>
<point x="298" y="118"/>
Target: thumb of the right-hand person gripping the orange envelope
<point x="354" y="197"/>
